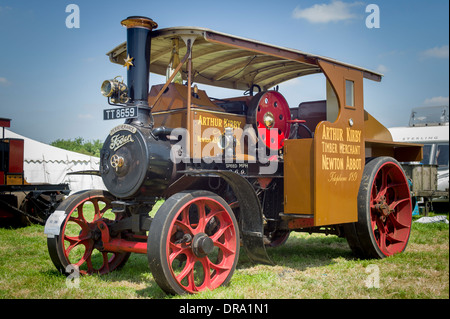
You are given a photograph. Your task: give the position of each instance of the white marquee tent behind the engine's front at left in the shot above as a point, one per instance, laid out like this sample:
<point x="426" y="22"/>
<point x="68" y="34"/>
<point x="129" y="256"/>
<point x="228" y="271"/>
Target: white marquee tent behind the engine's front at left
<point x="44" y="163"/>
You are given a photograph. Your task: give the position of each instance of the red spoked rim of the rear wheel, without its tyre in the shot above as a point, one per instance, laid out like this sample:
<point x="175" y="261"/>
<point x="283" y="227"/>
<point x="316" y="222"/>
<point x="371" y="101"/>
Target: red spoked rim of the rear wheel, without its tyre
<point x="390" y="209"/>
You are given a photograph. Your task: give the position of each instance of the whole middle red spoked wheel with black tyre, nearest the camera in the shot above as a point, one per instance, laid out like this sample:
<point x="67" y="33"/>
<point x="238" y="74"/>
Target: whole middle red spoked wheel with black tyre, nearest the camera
<point x="193" y="243"/>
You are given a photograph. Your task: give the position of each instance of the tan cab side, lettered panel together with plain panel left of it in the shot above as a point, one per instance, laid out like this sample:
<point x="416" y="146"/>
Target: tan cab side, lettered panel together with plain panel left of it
<point x="323" y="174"/>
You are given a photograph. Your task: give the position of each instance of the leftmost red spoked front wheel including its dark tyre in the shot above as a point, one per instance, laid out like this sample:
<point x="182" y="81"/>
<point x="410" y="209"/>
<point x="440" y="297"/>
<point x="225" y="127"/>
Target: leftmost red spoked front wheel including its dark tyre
<point x="78" y="241"/>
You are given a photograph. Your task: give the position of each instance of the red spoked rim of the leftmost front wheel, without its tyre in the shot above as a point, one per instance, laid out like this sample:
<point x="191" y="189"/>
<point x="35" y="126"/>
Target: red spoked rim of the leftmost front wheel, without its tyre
<point x="79" y="236"/>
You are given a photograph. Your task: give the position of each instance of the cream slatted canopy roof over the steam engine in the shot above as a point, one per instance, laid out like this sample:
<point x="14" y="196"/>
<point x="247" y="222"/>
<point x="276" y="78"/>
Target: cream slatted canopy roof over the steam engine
<point x="229" y="61"/>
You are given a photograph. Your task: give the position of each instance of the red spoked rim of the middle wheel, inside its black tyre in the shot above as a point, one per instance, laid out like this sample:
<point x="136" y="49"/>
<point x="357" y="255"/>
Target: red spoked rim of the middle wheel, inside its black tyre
<point x="192" y="270"/>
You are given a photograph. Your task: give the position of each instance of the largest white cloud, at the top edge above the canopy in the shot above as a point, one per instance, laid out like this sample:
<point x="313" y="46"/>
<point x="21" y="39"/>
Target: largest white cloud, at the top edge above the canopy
<point x="324" y="13"/>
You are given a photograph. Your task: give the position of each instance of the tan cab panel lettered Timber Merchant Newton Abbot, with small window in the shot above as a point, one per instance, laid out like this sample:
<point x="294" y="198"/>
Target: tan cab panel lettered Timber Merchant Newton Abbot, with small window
<point x="339" y="150"/>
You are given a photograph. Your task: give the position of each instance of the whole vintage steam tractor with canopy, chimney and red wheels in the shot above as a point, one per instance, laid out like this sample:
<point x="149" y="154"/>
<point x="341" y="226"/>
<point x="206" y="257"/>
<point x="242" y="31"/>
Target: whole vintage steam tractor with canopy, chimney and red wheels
<point x="241" y="171"/>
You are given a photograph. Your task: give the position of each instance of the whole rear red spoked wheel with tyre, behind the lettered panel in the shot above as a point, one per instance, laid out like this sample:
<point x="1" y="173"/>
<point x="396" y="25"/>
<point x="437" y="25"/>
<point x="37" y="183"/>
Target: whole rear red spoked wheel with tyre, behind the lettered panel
<point x="384" y="211"/>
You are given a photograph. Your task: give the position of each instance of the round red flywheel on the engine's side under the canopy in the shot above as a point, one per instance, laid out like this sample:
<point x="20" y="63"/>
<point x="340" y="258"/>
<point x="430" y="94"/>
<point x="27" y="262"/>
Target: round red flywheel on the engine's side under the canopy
<point x="269" y="113"/>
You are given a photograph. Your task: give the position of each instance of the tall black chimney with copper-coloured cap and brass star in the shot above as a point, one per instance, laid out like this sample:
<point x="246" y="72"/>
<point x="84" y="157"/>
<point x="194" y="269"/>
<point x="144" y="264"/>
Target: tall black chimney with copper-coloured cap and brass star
<point x="138" y="59"/>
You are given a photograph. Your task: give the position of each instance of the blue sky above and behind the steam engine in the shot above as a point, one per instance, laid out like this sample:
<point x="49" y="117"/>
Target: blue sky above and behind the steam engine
<point x="50" y="75"/>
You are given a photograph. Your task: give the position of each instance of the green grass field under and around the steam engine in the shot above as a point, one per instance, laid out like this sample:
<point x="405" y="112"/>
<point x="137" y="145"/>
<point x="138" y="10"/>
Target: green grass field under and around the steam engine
<point x="307" y="267"/>
